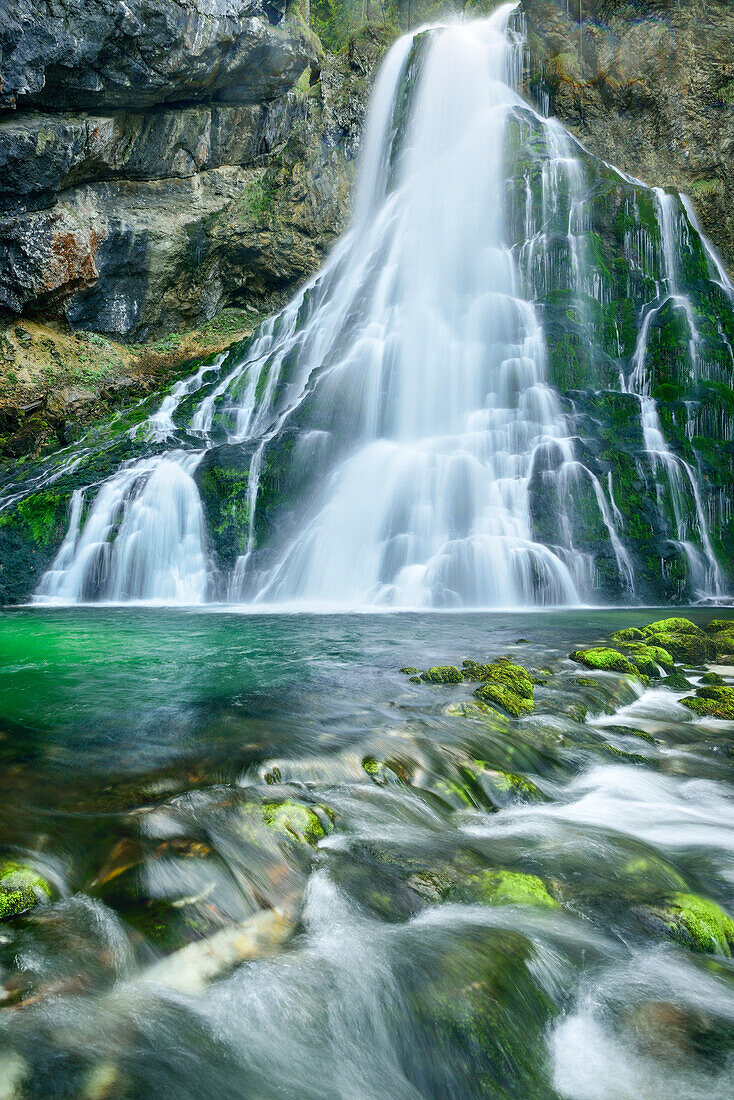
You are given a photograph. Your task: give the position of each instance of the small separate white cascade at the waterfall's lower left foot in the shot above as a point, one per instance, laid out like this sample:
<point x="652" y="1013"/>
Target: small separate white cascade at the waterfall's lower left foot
<point x="143" y="541"/>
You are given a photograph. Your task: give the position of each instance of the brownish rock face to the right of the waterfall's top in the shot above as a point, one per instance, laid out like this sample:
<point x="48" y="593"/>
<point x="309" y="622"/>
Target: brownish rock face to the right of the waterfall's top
<point x="648" y="86"/>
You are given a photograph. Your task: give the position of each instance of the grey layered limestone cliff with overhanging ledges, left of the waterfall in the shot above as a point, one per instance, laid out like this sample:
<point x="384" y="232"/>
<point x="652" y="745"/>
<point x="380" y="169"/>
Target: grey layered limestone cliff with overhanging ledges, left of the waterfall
<point x="124" y="127"/>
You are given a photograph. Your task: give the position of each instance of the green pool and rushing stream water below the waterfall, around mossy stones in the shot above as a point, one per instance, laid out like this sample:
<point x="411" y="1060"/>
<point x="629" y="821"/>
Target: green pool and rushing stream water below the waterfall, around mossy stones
<point x="140" y="745"/>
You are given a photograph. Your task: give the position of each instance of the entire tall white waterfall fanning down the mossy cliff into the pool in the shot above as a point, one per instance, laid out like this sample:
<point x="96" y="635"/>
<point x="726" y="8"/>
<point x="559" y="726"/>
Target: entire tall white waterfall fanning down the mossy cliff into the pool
<point x="400" y="433"/>
